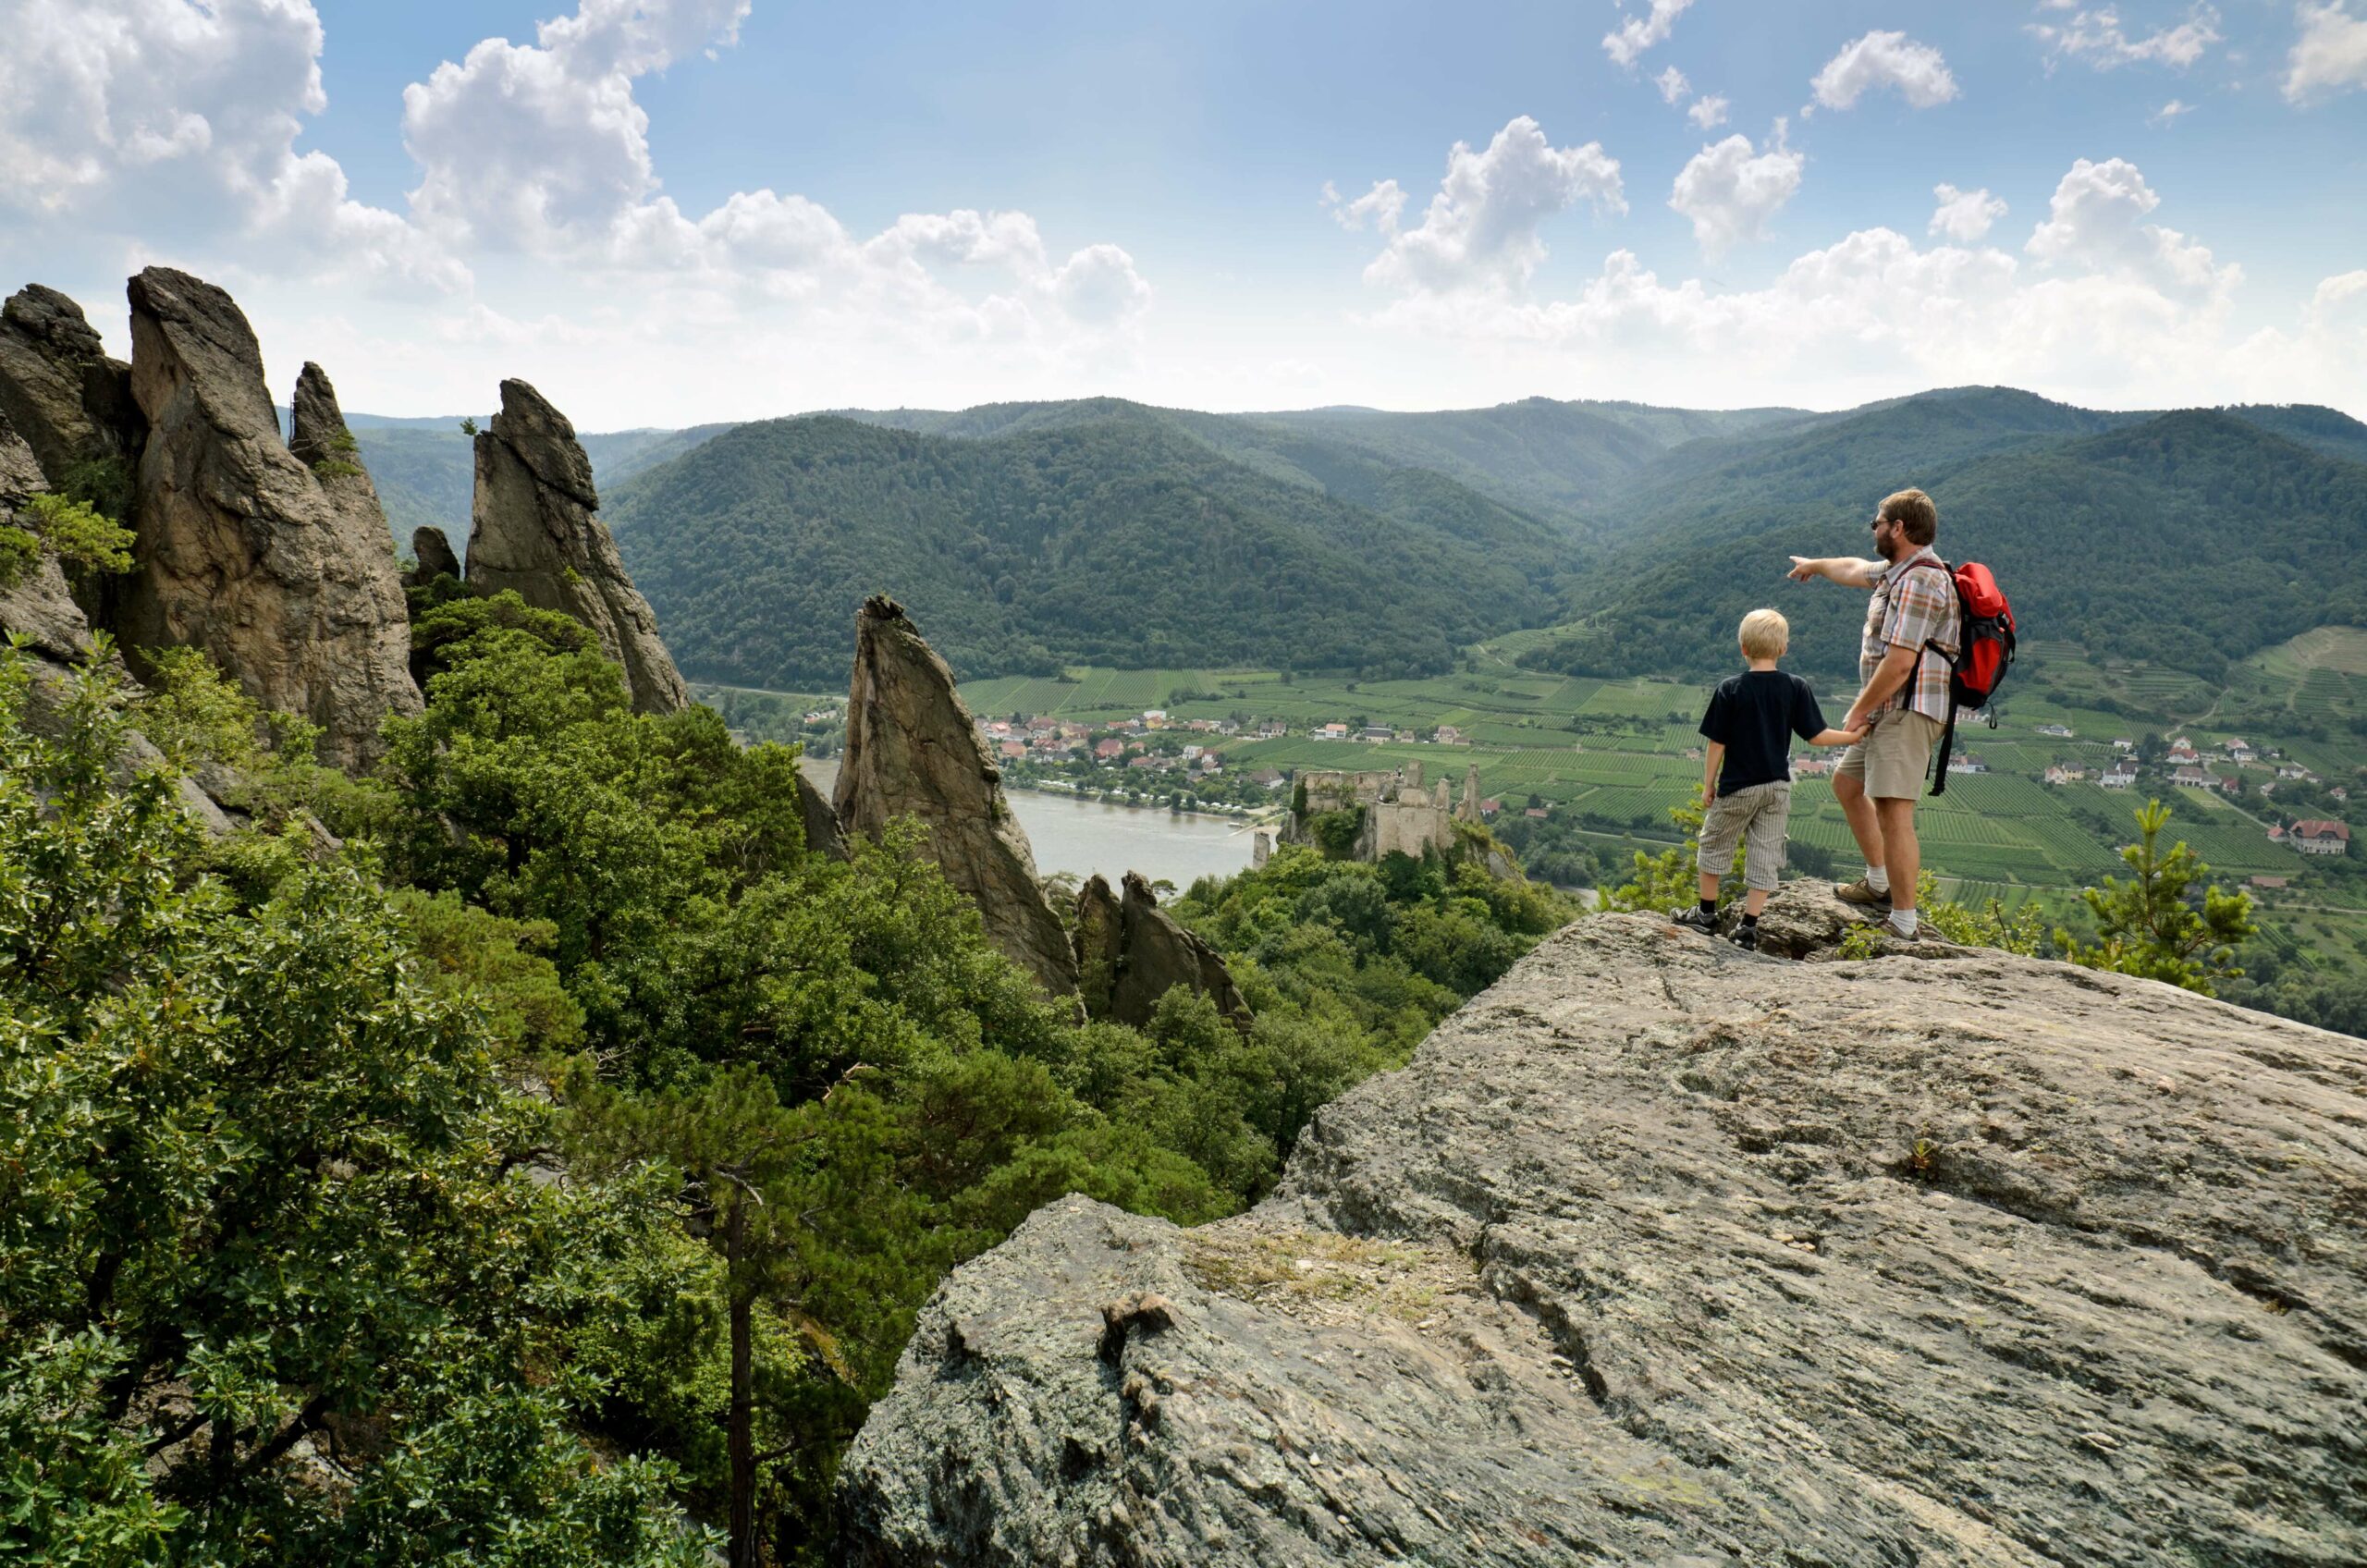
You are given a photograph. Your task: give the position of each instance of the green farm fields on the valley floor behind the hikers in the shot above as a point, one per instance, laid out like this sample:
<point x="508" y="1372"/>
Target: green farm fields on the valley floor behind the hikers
<point x="1611" y="757"/>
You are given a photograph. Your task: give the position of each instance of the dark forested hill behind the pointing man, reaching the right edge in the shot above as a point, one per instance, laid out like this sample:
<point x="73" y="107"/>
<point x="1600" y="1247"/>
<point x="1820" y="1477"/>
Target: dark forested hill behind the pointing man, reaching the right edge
<point x="2184" y="539"/>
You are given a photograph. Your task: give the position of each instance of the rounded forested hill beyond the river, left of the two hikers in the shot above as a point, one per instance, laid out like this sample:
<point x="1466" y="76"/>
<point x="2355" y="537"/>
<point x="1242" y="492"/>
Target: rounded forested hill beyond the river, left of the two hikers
<point x="1116" y="541"/>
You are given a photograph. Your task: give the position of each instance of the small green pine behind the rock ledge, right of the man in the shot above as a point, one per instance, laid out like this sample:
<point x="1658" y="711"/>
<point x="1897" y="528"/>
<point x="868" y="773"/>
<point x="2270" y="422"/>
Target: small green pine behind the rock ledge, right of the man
<point x="2165" y="923"/>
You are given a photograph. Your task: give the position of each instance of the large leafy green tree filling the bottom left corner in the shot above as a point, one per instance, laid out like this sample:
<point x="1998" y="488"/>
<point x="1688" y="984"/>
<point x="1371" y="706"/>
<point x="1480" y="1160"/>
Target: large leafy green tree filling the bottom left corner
<point x="266" y="1195"/>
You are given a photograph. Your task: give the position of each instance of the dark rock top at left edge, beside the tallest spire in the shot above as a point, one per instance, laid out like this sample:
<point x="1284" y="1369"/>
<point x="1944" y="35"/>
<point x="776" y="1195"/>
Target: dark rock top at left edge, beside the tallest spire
<point x="58" y="387"/>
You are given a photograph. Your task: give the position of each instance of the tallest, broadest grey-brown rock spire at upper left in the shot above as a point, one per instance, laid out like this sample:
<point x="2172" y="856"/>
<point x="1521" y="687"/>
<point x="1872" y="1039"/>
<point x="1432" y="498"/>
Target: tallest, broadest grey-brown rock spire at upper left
<point x="240" y="548"/>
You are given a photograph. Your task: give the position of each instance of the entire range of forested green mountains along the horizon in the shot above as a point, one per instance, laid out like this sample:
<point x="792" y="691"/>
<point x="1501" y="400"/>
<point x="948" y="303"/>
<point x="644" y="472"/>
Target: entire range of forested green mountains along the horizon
<point x="1114" y="532"/>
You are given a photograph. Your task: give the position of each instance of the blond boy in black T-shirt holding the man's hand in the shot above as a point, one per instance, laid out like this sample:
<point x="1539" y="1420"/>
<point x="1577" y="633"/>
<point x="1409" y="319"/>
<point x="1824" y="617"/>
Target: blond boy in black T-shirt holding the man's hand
<point x="1748" y="771"/>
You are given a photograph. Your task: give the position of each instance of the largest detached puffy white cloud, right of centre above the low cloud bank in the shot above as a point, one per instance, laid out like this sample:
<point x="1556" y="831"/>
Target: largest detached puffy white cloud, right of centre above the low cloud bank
<point x="1481" y="231"/>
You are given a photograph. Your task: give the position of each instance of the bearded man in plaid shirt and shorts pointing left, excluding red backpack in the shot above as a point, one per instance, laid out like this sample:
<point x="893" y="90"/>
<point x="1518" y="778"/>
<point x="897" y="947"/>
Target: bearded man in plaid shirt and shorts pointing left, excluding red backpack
<point x="1904" y="700"/>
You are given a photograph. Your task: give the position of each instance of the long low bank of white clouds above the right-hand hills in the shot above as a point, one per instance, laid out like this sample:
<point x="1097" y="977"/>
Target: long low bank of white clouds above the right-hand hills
<point x="2105" y="309"/>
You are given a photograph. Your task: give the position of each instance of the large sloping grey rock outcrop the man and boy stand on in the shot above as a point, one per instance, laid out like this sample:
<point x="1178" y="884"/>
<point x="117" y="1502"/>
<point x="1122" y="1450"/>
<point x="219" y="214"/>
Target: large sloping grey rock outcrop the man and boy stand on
<point x="1663" y="1252"/>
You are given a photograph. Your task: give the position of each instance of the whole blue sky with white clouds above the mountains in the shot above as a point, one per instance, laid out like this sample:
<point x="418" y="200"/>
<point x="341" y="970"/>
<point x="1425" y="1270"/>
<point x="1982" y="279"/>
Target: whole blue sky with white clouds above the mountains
<point x="692" y="210"/>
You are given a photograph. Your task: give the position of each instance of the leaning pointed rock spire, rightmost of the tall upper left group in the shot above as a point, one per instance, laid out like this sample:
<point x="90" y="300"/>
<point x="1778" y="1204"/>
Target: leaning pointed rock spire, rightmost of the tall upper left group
<point x="536" y="529"/>
